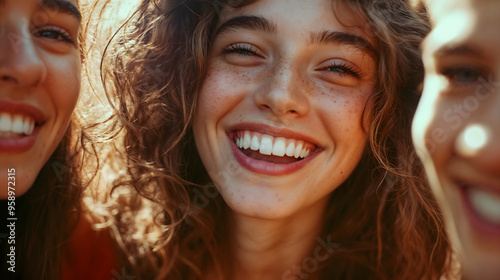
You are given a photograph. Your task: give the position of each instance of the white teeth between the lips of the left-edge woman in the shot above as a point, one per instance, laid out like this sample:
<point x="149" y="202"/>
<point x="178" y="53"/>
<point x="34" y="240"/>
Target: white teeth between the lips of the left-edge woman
<point x="16" y="125"/>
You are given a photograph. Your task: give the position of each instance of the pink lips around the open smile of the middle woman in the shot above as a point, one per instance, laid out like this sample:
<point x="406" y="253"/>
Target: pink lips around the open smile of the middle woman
<point x="265" y="167"/>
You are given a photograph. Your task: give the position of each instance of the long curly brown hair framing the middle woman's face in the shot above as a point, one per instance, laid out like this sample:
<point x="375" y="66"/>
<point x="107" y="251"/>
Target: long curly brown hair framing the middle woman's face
<point x="153" y="70"/>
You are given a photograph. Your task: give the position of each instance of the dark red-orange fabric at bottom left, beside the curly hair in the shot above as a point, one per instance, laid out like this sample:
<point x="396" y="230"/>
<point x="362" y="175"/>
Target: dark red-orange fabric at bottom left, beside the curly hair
<point x="90" y="254"/>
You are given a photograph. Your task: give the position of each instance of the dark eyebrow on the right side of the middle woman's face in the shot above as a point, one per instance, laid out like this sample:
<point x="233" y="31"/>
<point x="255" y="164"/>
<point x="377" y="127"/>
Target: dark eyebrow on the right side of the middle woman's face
<point x="343" y="38"/>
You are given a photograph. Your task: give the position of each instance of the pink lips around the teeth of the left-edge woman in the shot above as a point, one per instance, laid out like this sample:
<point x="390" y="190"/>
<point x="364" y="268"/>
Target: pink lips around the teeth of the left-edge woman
<point x="24" y="143"/>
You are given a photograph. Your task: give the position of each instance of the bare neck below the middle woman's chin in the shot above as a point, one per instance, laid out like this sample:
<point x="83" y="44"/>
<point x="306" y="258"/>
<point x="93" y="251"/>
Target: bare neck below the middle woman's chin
<point x="273" y="249"/>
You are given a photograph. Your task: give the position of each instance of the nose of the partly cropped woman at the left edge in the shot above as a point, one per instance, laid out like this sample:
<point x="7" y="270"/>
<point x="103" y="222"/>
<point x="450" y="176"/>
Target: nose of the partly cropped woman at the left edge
<point x="20" y="61"/>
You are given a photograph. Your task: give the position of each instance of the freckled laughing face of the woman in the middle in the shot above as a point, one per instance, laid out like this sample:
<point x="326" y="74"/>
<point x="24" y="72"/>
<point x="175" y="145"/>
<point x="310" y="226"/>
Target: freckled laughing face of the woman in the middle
<point x="279" y="121"/>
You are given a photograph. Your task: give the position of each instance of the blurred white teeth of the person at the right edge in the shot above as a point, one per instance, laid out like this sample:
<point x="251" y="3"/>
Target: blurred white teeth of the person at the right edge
<point x="486" y="204"/>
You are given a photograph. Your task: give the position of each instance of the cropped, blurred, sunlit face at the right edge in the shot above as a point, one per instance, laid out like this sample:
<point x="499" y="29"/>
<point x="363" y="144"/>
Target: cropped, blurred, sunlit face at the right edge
<point x="457" y="127"/>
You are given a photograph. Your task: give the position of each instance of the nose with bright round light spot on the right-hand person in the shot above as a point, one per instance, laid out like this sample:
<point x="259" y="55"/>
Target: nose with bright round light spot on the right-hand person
<point x="479" y="140"/>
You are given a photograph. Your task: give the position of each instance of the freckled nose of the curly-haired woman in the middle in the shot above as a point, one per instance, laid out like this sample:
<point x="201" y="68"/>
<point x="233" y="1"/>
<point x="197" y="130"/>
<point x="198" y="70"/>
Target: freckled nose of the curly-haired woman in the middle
<point x="285" y="93"/>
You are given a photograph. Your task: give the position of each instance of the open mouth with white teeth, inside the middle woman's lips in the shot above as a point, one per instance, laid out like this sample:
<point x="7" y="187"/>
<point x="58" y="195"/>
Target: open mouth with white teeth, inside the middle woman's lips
<point x="265" y="147"/>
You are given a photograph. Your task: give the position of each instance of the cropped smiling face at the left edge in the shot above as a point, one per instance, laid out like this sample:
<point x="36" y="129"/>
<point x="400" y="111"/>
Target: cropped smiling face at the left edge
<point x="39" y="84"/>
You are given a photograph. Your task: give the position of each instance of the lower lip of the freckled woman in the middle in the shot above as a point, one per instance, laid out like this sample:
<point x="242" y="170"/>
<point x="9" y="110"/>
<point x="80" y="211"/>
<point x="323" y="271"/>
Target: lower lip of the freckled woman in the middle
<point x="269" y="168"/>
